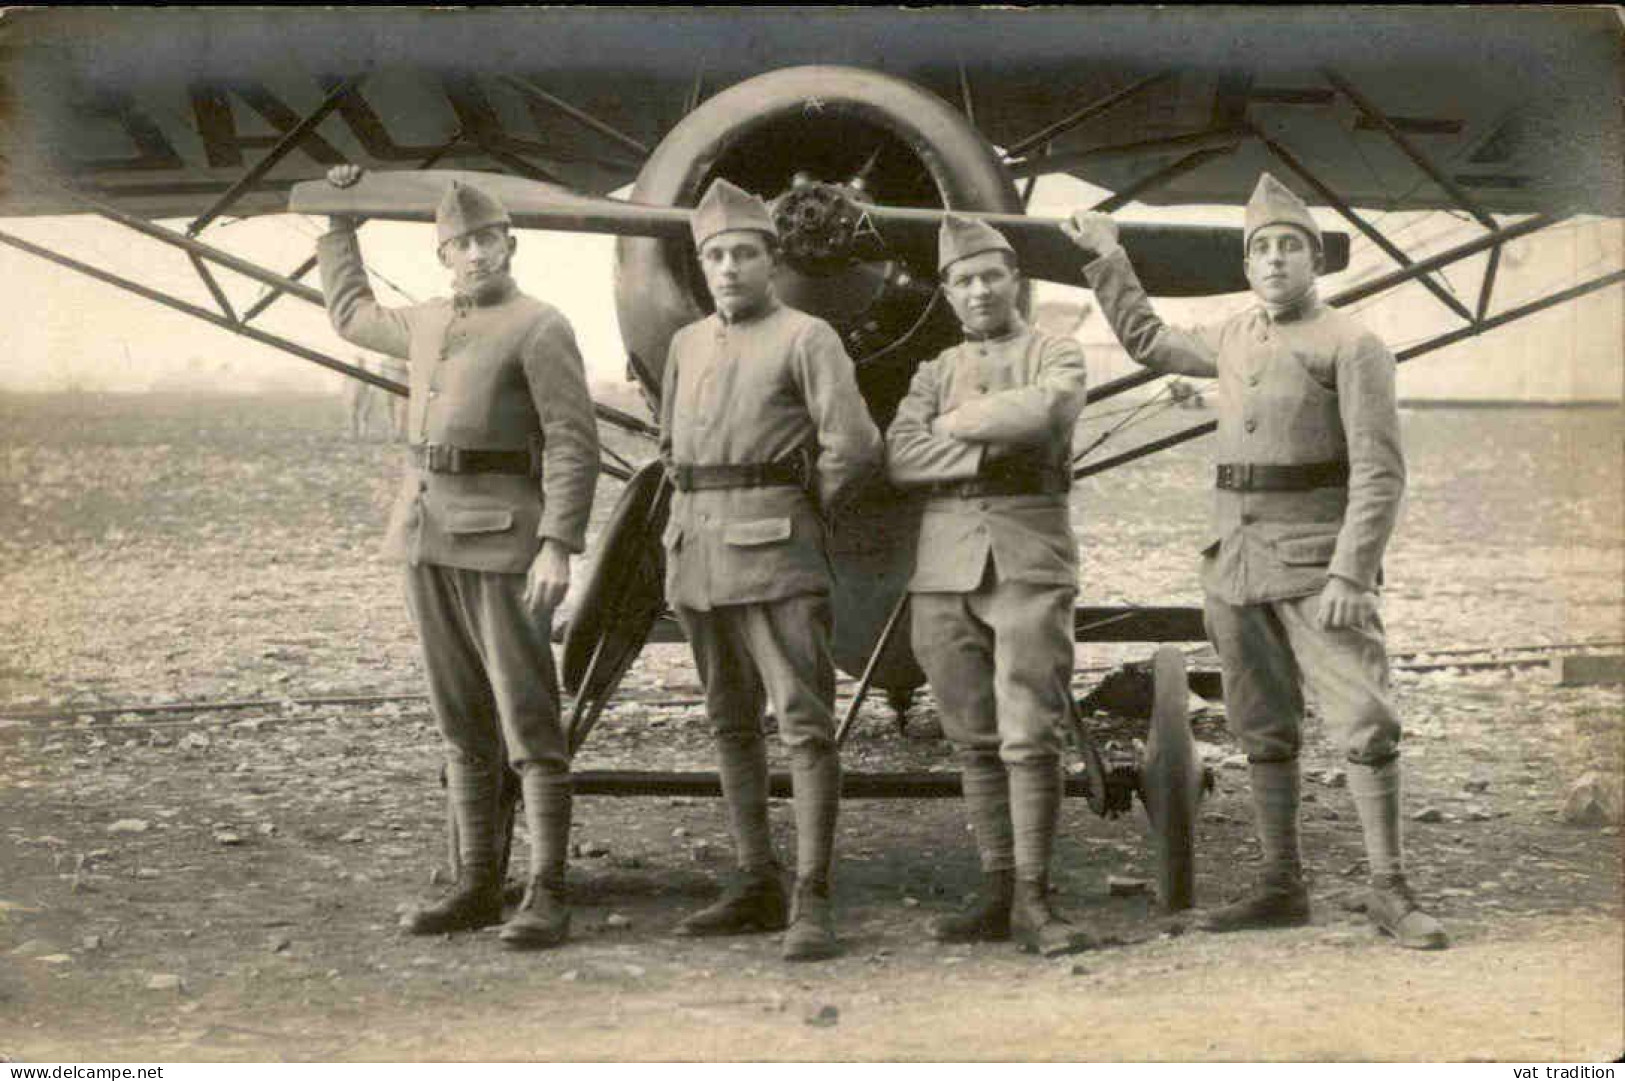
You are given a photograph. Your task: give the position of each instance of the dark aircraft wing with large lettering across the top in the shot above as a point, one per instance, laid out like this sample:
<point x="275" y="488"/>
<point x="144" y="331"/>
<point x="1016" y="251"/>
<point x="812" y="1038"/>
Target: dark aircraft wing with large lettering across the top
<point x="163" y="113"/>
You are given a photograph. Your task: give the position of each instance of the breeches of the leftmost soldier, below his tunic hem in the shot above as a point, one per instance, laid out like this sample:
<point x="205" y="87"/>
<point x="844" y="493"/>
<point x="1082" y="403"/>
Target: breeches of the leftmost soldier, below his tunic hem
<point x="492" y="679"/>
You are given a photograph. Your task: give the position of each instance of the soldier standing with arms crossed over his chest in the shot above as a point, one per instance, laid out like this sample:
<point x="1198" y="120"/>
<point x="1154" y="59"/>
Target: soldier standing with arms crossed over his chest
<point x="987" y="432"/>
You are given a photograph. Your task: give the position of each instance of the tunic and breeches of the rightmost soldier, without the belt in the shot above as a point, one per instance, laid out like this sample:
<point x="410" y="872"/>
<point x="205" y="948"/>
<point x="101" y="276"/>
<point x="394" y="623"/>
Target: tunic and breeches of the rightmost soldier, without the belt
<point x="1298" y="386"/>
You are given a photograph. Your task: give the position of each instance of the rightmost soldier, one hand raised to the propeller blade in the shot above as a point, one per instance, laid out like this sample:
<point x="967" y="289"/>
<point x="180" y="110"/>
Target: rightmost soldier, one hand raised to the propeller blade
<point x="1307" y="492"/>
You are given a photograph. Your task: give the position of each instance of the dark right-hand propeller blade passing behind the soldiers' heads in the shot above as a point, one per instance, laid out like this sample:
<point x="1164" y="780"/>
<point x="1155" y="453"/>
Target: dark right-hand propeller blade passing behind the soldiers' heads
<point x="1171" y="259"/>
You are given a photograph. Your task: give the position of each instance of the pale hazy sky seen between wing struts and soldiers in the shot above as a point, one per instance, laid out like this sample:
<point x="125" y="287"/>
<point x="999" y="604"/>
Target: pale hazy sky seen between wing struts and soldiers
<point x="71" y="331"/>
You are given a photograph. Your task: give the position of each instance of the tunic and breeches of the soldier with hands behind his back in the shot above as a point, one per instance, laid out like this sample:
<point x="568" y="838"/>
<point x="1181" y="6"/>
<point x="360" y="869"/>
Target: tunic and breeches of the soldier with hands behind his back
<point x="747" y="568"/>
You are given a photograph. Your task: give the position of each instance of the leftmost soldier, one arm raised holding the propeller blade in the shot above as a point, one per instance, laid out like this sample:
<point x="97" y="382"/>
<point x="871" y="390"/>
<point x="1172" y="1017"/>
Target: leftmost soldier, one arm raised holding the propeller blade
<point x="500" y="482"/>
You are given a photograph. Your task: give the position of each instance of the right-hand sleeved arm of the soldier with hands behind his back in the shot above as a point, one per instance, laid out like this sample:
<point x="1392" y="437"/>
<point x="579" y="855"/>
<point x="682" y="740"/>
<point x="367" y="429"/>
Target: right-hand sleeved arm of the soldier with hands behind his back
<point x="849" y="443"/>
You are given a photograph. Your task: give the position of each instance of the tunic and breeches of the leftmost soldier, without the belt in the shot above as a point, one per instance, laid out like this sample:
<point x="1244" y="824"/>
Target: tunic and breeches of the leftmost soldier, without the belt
<point x="503" y="375"/>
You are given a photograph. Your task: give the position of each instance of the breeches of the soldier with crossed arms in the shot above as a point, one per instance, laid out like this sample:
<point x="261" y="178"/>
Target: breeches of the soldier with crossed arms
<point x="1000" y="662"/>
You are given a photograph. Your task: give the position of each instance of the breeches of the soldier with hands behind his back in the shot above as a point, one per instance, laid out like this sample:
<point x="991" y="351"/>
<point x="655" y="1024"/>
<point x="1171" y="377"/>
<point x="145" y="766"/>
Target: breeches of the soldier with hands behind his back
<point x="778" y="653"/>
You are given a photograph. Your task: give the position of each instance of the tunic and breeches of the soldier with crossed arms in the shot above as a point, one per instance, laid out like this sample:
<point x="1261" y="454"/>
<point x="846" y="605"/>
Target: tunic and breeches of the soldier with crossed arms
<point x="995" y="576"/>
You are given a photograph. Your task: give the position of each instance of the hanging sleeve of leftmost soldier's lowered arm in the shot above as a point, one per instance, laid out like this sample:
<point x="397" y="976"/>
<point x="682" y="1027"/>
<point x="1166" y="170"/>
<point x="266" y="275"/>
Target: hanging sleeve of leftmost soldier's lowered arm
<point x="558" y="389"/>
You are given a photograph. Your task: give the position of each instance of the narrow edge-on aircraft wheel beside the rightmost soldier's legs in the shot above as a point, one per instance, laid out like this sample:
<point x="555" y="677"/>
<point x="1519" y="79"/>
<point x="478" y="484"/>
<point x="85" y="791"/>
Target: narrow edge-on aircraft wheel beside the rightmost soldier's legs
<point x="1172" y="783"/>
